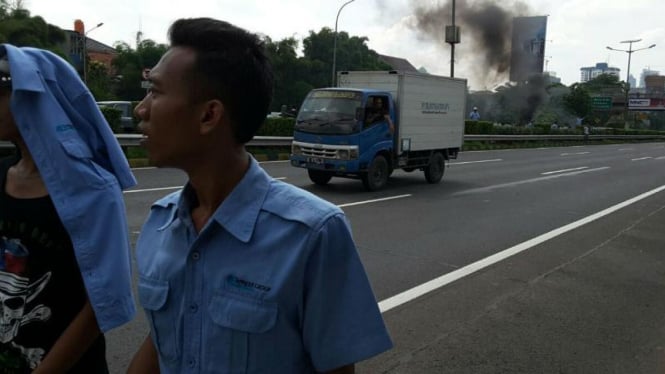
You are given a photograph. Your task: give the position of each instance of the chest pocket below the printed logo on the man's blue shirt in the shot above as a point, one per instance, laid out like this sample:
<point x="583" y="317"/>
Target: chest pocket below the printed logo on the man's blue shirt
<point x="236" y="319"/>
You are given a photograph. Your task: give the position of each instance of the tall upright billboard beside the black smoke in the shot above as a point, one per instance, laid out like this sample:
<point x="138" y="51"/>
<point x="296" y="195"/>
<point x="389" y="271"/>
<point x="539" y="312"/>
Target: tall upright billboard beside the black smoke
<point x="527" y="53"/>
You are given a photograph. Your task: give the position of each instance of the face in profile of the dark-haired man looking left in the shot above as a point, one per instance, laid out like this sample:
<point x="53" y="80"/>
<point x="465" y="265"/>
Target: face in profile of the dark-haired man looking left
<point x="169" y="119"/>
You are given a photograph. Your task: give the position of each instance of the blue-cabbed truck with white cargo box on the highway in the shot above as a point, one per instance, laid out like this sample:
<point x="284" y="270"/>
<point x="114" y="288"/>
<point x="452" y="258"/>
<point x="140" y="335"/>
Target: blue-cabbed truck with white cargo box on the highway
<point x="378" y="121"/>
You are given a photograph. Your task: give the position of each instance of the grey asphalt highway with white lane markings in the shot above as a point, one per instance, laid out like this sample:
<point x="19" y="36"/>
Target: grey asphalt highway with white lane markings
<point x="545" y="260"/>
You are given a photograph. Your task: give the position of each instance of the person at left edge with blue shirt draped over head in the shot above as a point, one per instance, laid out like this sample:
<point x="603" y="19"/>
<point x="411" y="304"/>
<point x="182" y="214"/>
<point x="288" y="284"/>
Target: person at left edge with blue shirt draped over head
<point x="64" y="245"/>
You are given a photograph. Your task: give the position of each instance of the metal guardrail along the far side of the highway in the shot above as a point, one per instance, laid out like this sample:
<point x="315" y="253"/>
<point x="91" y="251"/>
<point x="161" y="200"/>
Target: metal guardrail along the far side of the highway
<point x="133" y="140"/>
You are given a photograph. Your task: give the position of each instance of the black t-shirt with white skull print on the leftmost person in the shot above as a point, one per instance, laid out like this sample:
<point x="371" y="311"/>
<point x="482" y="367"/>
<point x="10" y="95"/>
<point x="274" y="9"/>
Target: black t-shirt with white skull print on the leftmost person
<point x="41" y="289"/>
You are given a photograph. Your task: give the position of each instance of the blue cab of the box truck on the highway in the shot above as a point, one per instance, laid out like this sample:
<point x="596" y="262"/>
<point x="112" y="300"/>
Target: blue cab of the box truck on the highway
<point x="339" y="132"/>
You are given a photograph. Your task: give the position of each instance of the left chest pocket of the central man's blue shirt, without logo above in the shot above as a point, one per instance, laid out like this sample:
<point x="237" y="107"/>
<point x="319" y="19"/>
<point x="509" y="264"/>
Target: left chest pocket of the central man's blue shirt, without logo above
<point x="153" y="297"/>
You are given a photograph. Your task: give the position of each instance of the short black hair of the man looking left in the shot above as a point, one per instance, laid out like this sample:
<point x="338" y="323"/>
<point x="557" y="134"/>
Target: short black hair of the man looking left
<point x="232" y="66"/>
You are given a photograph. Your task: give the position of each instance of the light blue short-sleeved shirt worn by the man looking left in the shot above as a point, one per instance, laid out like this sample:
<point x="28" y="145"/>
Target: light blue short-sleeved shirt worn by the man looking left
<point x="272" y="284"/>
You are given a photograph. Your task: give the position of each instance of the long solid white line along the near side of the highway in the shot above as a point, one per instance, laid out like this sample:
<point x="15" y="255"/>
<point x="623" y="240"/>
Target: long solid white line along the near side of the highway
<point x="434" y="284"/>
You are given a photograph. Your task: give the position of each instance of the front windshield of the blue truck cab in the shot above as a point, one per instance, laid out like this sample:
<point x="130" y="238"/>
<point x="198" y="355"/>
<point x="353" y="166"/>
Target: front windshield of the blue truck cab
<point x="329" y="112"/>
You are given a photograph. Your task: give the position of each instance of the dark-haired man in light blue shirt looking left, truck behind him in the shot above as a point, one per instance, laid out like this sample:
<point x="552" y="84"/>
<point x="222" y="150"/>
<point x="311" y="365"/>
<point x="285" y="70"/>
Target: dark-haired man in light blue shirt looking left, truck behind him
<point x="238" y="272"/>
